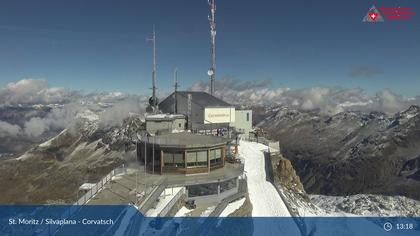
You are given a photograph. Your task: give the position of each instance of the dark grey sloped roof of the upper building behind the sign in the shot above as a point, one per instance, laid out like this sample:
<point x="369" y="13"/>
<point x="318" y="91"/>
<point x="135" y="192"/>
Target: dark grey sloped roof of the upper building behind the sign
<point x="202" y="99"/>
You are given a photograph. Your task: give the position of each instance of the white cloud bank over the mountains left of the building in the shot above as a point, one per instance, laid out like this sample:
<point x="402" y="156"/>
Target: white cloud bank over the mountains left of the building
<point x="112" y="107"/>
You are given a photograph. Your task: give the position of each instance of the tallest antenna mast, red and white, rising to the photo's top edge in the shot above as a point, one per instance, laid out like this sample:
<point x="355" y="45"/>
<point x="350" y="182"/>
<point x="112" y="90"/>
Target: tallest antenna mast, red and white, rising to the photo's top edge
<point x="212" y="20"/>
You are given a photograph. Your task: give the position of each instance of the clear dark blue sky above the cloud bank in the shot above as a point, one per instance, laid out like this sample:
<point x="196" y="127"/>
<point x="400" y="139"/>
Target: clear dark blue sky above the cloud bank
<point x="100" y="45"/>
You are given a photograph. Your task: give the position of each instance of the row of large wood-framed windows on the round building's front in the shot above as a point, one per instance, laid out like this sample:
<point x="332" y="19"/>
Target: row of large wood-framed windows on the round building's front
<point x="193" y="159"/>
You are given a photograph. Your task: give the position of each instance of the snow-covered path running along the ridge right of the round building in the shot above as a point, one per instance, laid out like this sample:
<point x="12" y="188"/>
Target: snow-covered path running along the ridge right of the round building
<point x="265" y="200"/>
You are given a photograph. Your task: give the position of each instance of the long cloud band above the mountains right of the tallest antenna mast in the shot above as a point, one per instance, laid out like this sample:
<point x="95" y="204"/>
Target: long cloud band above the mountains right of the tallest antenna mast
<point x="329" y="100"/>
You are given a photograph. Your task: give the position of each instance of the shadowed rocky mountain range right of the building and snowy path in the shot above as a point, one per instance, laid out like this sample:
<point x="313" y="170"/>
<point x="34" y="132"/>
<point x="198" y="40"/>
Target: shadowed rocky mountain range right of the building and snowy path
<point x="350" y="152"/>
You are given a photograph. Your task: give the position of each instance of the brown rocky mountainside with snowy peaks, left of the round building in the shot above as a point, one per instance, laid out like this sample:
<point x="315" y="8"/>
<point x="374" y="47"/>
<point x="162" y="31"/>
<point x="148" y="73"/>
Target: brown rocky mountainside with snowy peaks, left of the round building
<point x="54" y="170"/>
